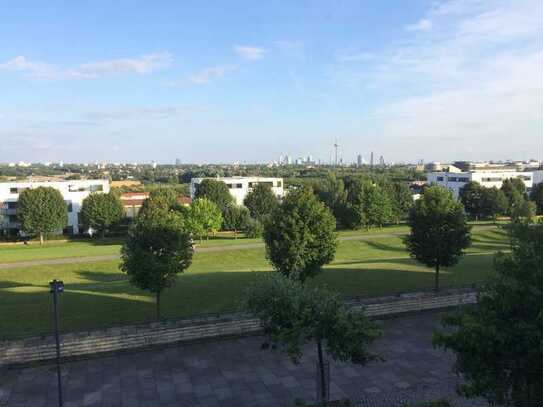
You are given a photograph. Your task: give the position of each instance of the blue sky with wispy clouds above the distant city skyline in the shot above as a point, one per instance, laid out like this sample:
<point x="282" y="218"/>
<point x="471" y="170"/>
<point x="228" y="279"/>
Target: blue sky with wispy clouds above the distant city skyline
<point x="246" y="81"/>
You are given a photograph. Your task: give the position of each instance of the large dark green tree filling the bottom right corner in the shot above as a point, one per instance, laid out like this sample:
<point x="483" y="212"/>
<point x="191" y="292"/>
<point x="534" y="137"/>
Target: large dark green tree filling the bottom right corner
<point x="498" y="343"/>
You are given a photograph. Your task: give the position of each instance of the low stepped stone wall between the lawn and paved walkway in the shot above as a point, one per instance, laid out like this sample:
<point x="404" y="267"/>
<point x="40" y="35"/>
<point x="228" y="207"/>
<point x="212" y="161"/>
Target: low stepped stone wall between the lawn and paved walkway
<point x="169" y="332"/>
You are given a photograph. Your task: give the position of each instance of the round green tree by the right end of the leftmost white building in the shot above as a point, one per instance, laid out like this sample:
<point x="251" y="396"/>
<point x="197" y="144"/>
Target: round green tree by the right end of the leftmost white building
<point x="101" y="211"/>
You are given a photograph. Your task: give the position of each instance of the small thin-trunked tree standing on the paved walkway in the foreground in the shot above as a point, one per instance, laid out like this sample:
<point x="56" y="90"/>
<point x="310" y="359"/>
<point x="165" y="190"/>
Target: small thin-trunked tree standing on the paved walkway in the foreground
<point x="293" y="315"/>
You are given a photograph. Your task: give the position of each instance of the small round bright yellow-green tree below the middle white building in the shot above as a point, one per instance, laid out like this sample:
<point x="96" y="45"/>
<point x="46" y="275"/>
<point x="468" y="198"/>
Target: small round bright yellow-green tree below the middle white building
<point x="203" y="217"/>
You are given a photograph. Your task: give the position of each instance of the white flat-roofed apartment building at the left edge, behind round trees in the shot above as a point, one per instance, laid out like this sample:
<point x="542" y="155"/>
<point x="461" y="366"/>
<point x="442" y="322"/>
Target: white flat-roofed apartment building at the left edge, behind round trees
<point x="73" y="192"/>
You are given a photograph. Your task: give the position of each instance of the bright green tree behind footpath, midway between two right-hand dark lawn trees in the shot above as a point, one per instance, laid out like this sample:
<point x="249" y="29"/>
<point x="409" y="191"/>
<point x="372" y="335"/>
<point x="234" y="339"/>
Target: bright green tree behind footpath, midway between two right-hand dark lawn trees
<point x="368" y="204"/>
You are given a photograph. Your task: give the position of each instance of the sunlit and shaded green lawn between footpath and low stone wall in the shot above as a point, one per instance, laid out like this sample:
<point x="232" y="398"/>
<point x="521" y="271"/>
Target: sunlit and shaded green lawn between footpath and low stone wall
<point x="99" y="295"/>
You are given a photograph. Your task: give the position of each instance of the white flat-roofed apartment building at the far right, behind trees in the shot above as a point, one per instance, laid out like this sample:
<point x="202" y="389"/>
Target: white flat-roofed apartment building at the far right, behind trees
<point x="487" y="178"/>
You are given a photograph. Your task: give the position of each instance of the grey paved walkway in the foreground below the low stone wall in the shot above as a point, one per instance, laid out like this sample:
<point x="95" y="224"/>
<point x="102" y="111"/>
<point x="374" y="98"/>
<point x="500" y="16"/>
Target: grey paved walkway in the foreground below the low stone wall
<point x="235" y="372"/>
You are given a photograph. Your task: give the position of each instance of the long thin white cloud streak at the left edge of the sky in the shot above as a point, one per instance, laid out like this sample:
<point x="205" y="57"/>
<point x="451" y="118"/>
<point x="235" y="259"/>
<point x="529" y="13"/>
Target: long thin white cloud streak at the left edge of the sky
<point x="141" y="65"/>
